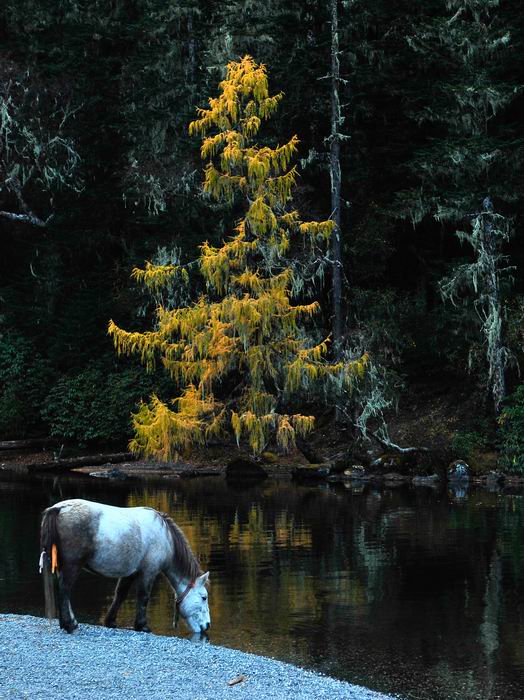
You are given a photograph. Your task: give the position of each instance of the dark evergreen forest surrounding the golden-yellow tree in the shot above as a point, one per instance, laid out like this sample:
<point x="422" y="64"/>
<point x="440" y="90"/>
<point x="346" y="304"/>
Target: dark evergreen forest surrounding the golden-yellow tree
<point x="98" y="174"/>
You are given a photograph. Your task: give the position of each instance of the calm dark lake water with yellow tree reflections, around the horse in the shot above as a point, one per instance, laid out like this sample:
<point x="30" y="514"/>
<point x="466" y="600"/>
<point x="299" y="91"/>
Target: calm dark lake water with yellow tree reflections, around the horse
<point x="409" y="591"/>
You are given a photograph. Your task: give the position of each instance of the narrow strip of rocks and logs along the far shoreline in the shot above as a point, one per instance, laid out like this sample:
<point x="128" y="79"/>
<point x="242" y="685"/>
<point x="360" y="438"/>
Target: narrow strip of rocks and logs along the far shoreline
<point x="388" y="470"/>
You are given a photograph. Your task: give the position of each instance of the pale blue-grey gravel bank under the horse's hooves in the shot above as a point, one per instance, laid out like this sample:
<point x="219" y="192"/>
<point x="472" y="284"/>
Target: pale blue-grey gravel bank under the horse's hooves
<point x="38" y="660"/>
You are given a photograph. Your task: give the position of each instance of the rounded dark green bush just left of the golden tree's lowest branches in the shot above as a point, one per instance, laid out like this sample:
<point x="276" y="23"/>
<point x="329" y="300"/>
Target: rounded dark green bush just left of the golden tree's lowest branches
<point x="93" y="405"/>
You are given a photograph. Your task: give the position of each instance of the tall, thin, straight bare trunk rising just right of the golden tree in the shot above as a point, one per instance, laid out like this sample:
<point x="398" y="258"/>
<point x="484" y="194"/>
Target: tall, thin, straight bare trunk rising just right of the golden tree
<point x="335" y="172"/>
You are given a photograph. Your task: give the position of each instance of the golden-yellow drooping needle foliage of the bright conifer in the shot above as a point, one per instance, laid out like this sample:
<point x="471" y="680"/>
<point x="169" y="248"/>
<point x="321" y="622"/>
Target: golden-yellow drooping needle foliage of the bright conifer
<point x="242" y="340"/>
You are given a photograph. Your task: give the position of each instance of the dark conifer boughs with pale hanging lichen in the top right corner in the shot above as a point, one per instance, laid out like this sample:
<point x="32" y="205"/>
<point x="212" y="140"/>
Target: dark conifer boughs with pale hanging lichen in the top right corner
<point x="463" y="50"/>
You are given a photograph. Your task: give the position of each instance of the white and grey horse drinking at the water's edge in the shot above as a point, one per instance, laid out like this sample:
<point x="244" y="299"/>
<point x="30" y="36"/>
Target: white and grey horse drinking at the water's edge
<point x="131" y="544"/>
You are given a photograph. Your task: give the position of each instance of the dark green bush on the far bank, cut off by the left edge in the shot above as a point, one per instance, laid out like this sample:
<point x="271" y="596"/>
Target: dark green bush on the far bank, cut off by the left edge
<point x="24" y="382"/>
